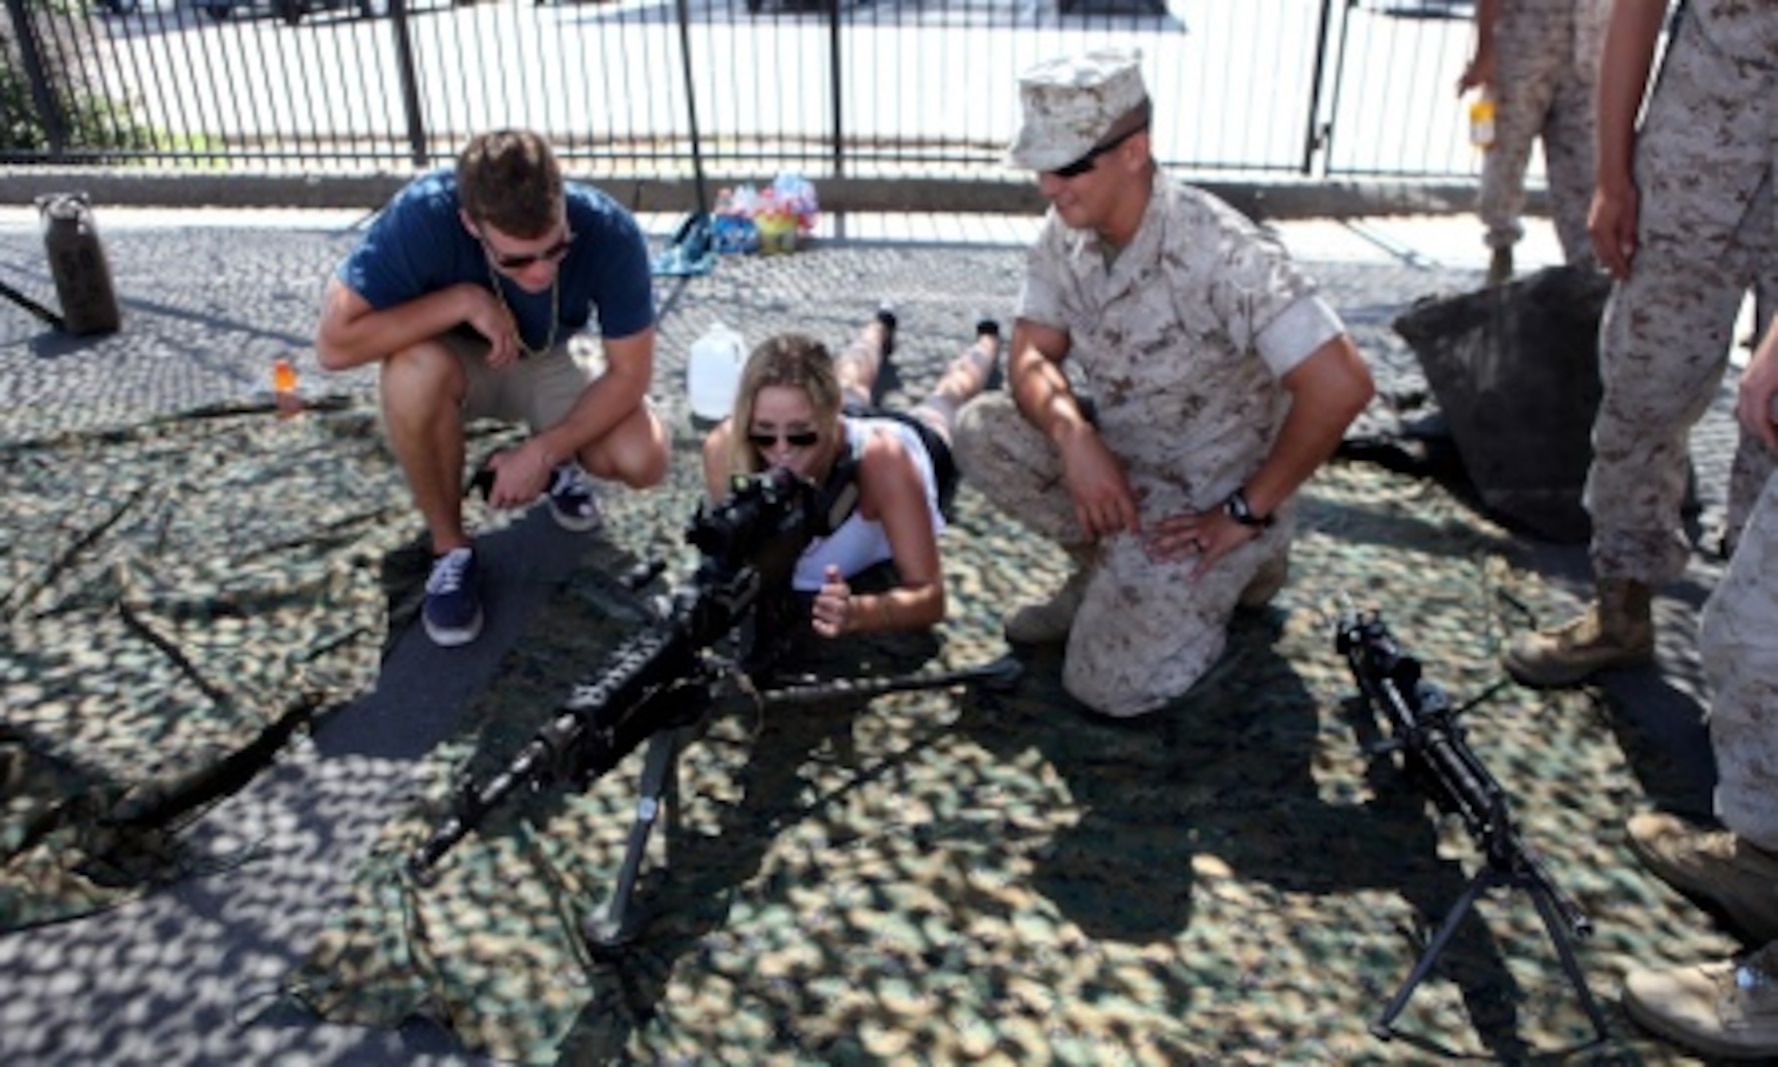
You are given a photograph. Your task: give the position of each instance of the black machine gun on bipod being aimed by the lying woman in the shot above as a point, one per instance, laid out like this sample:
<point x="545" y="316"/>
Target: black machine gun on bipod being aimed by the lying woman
<point x="662" y="684"/>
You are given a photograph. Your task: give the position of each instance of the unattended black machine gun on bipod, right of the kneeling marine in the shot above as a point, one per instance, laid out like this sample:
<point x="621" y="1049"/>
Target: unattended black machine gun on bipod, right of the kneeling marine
<point x="1427" y="734"/>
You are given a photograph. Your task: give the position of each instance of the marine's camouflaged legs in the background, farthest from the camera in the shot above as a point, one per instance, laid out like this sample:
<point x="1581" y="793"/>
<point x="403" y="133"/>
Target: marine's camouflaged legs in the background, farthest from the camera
<point x="1541" y="63"/>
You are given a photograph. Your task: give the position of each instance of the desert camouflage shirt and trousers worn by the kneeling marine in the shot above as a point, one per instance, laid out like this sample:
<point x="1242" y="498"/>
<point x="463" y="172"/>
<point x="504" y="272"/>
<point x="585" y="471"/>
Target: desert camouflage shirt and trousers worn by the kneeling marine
<point x="1181" y="344"/>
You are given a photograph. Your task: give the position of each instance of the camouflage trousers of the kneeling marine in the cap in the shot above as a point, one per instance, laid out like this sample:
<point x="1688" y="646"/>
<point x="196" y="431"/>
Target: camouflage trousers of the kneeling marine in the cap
<point x="1146" y="632"/>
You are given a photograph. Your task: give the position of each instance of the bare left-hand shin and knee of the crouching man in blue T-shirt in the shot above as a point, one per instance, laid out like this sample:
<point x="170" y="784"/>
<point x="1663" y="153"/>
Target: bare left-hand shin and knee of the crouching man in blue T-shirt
<point x="422" y="394"/>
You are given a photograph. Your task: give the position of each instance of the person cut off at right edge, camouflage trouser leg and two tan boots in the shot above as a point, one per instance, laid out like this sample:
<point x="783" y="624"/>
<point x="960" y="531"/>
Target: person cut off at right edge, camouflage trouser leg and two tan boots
<point x="1729" y="1009"/>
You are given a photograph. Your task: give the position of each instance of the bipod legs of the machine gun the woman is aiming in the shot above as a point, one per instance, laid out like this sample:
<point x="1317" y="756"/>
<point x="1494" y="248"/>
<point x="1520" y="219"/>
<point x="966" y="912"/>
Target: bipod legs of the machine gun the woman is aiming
<point x="625" y="919"/>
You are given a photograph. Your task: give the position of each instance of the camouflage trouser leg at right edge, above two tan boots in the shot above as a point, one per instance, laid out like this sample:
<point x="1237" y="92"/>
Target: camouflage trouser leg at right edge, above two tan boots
<point x="1740" y="643"/>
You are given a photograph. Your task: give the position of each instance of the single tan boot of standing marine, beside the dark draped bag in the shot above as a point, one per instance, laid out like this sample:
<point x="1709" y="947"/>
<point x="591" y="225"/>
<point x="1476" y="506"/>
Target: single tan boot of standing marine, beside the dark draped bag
<point x="1615" y="630"/>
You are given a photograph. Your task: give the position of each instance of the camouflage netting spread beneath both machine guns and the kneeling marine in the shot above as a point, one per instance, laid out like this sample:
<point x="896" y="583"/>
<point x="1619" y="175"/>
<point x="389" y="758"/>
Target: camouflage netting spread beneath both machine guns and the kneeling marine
<point x="950" y="878"/>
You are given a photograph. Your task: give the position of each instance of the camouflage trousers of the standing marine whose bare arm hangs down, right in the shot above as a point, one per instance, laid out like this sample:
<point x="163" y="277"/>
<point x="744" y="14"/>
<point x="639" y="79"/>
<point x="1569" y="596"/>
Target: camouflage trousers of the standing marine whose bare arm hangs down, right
<point x="1704" y="173"/>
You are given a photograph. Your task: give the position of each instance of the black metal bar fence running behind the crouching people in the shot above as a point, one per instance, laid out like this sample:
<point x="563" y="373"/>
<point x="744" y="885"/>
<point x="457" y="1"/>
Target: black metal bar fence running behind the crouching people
<point x="885" y="90"/>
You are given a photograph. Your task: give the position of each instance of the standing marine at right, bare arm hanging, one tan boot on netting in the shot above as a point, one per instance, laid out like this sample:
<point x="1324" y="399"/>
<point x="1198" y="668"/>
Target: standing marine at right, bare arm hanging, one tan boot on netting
<point x="1686" y="234"/>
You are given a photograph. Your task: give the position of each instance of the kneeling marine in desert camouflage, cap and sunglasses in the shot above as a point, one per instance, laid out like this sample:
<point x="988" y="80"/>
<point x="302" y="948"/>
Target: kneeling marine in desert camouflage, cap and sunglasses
<point x="1221" y="383"/>
